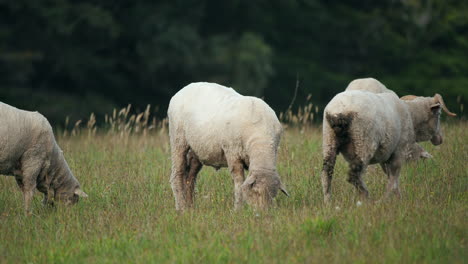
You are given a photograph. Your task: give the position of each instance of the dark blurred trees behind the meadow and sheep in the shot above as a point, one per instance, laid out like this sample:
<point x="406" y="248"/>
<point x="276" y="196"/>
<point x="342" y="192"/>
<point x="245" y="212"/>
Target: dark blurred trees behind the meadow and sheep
<point x="70" y="58"/>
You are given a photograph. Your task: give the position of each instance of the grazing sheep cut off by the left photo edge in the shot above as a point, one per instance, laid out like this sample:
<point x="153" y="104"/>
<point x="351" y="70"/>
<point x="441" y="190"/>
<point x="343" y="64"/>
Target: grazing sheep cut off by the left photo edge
<point x="29" y="152"/>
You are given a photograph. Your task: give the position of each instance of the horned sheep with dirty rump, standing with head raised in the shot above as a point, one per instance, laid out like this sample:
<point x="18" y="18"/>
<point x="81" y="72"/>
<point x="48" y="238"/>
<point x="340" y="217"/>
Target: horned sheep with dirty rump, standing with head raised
<point x="369" y="128"/>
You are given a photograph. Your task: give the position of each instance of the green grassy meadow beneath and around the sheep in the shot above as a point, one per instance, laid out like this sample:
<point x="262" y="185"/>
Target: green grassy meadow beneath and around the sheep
<point x="130" y="217"/>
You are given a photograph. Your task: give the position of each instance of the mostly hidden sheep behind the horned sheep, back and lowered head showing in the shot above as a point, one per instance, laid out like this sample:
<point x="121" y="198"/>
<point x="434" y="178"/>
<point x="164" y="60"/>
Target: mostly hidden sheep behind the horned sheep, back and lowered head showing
<point x="414" y="151"/>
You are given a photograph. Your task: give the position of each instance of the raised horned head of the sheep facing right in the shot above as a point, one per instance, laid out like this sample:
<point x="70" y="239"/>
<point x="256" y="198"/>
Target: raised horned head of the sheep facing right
<point x="429" y="128"/>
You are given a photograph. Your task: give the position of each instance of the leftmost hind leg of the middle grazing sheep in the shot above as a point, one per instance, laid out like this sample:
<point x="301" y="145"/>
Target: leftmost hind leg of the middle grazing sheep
<point x="179" y="165"/>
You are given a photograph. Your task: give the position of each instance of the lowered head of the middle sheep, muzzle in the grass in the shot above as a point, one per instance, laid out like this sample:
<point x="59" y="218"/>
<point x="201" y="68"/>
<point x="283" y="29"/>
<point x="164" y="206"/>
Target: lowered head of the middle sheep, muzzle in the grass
<point x="260" y="187"/>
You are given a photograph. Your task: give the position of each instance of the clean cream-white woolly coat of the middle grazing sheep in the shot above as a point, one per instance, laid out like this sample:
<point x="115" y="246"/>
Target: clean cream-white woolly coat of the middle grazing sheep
<point x="220" y="125"/>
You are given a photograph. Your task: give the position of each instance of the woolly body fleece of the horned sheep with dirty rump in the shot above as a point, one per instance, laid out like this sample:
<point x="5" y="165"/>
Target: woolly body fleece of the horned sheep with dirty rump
<point x="379" y="125"/>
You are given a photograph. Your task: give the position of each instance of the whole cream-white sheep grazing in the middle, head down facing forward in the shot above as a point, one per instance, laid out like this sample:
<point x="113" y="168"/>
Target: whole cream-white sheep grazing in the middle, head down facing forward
<point x="213" y="125"/>
